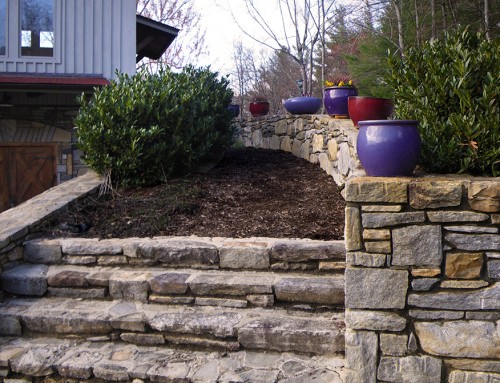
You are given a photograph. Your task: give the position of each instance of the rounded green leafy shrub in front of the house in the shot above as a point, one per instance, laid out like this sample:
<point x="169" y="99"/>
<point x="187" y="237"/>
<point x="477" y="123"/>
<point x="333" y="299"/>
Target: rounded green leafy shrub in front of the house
<point x="144" y="129"/>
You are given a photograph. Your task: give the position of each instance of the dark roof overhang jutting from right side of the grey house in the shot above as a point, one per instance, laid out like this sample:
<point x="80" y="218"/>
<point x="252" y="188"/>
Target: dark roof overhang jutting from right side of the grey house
<point x="153" y="38"/>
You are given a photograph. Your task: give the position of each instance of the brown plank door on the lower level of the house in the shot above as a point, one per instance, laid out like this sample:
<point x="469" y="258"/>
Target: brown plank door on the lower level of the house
<point x="27" y="172"/>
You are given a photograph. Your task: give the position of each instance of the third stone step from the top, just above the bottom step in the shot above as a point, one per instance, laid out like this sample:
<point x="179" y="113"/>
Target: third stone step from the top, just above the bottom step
<point x="151" y="324"/>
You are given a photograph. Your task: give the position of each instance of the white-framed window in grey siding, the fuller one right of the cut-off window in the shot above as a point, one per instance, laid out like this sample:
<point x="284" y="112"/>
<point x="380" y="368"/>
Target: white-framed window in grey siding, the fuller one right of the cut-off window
<point x="37" y="27"/>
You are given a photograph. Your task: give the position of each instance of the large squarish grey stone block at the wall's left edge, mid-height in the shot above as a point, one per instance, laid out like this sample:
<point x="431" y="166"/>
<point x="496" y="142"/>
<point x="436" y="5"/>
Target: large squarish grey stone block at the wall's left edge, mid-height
<point x="376" y="288"/>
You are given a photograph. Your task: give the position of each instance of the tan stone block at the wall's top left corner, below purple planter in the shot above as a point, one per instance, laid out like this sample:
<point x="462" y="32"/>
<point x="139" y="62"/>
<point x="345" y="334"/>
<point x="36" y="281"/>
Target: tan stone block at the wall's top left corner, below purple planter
<point x="371" y="189"/>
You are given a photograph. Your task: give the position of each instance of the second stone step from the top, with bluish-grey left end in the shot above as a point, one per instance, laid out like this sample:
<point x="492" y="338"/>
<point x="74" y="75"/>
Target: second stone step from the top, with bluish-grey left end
<point x="177" y="286"/>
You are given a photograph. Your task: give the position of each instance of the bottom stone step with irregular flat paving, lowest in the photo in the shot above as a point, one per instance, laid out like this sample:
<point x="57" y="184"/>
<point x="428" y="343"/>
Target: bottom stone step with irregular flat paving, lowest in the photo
<point x="63" y="360"/>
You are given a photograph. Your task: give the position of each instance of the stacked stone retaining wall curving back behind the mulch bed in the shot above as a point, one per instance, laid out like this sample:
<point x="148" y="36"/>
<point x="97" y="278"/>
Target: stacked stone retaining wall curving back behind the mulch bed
<point x="423" y="260"/>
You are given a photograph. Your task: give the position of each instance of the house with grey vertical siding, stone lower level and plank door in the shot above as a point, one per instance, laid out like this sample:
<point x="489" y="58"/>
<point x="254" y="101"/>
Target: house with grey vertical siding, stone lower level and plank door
<point x="50" y="52"/>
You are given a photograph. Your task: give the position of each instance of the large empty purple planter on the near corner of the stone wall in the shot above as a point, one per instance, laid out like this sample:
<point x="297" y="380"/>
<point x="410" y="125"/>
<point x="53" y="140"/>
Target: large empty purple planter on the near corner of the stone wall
<point x="388" y="148"/>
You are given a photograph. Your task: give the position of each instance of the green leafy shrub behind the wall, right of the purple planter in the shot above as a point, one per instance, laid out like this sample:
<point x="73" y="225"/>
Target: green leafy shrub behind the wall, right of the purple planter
<point x="451" y="86"/>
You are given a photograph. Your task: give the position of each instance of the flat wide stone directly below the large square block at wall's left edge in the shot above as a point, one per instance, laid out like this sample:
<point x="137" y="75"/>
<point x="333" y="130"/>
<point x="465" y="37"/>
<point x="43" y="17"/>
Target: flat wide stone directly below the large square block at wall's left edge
<point x="374" y="320"/>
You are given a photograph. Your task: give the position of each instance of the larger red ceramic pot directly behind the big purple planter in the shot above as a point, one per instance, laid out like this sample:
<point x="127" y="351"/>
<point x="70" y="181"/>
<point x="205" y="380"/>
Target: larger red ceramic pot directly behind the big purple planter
<point x="369" y="108"/>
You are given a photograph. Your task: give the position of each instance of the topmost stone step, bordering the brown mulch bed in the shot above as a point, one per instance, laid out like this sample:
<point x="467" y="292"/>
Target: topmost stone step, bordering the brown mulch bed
<point x="192" y="252"/>
